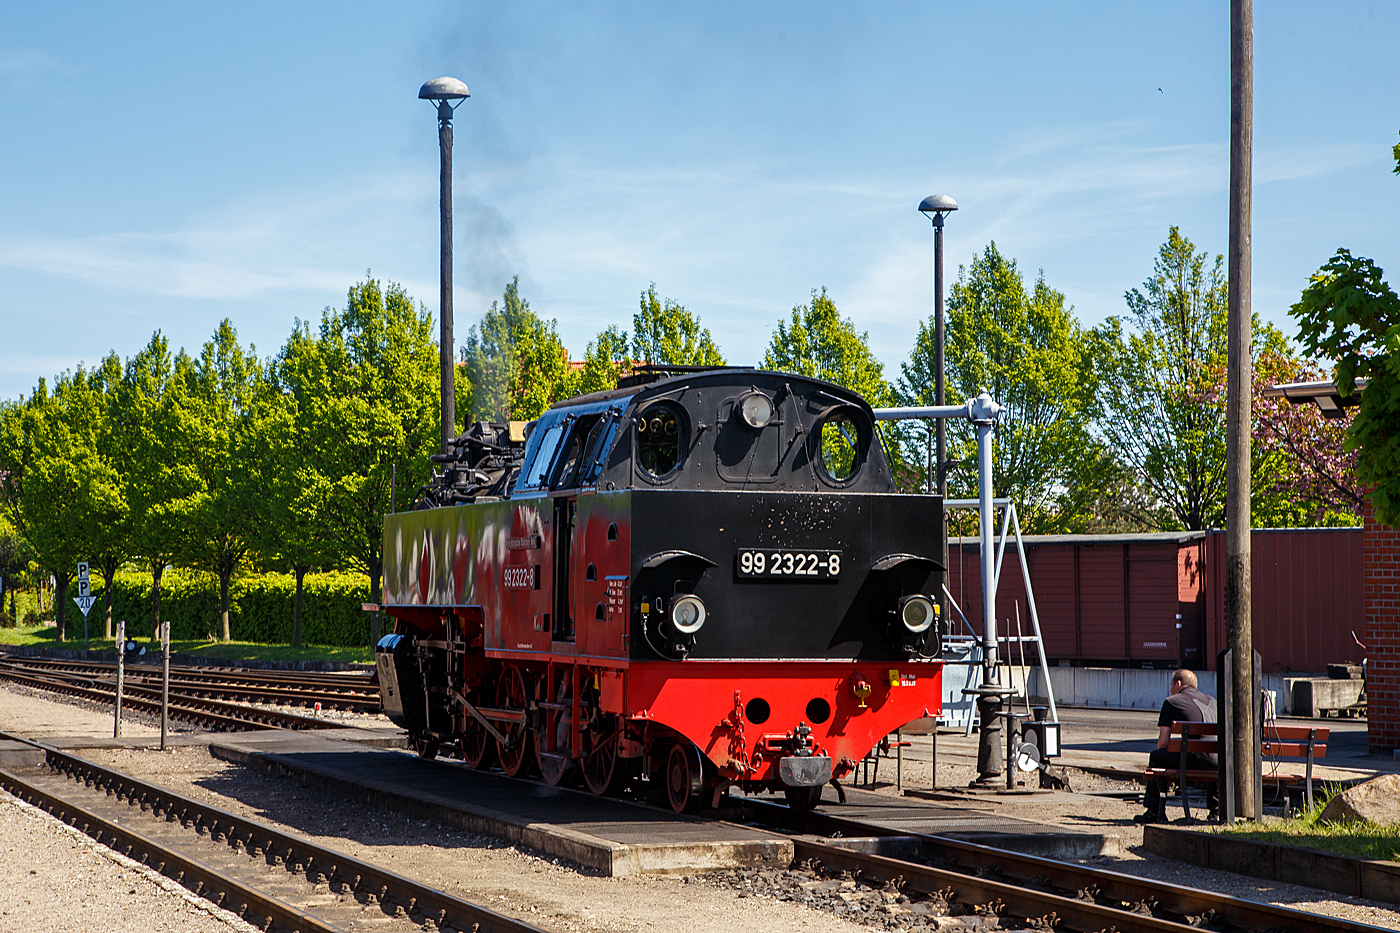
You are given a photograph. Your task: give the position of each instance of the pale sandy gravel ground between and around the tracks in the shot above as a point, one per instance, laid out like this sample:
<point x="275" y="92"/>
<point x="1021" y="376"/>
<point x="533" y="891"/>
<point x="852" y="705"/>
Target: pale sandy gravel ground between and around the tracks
<point x="519" y="883"/>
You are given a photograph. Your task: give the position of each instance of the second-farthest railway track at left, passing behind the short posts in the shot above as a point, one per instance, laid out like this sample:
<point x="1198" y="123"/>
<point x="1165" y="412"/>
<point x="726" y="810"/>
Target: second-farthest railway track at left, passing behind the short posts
<point x="183" y="708"/>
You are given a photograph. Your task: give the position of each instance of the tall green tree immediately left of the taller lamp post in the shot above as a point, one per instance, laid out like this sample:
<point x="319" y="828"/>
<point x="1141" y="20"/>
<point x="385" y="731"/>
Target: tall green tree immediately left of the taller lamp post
<point x="366" y="403"/>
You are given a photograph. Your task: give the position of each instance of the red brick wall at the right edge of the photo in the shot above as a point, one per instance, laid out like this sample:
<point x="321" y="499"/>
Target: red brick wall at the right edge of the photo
<point x="1381" y="560"/>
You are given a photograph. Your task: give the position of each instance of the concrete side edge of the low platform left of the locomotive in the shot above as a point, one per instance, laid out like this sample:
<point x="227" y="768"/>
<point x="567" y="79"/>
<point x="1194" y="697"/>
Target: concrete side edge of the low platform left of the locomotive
<point x="610" y="858"/>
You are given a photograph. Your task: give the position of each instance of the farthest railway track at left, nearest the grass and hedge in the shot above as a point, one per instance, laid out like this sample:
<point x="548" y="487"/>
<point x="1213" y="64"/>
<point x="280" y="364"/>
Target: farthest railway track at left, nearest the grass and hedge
<point x="353" y="693"/>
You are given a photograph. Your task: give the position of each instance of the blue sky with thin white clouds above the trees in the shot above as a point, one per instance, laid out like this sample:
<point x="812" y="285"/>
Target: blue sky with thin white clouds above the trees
<point x="167" y="166"/>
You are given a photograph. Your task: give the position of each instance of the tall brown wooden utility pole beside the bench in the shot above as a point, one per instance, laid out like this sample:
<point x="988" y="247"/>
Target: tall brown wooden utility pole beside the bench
<point x="1240" y="383"/>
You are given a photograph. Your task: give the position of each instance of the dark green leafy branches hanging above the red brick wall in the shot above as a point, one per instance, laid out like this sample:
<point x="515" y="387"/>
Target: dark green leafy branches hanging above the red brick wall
<point x="1350" y="315"/>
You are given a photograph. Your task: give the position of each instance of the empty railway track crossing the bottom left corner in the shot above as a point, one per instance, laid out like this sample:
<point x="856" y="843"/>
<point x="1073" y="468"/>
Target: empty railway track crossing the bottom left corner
<point x="271" y="879"/>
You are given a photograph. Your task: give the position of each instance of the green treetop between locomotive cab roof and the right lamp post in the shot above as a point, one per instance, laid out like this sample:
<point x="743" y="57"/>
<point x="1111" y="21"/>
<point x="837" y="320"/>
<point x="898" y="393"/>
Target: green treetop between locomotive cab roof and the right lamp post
<point x="817" y="341"/>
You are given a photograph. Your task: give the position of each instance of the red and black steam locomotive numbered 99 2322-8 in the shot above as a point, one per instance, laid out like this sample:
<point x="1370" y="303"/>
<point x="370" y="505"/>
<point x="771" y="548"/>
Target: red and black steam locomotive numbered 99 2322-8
<point x="701" y="579"/>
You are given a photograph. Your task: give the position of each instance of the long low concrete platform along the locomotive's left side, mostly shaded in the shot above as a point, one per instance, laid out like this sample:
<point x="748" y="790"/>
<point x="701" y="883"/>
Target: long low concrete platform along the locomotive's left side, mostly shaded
<point x="614" y="837"/>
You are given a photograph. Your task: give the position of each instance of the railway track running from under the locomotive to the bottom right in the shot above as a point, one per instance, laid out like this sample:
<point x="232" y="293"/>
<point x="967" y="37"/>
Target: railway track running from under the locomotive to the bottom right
<point x="1034" y="889"/>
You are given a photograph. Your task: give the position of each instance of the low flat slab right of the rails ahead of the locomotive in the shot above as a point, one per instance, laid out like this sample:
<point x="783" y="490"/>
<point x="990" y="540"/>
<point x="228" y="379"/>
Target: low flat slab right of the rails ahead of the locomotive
<point x="958" y="822"/>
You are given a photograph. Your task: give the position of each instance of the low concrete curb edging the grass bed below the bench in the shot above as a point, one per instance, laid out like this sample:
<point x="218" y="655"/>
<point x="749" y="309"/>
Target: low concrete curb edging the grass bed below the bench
<point x="1275" y="862"/>
